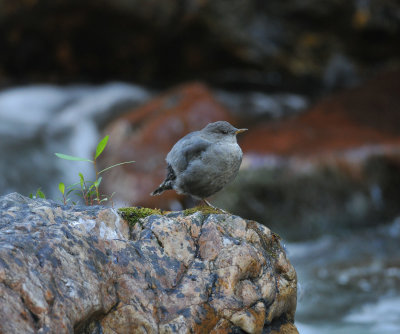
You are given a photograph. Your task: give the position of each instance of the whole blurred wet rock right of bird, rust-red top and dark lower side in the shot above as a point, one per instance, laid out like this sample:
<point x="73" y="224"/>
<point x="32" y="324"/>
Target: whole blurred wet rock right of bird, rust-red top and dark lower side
<point x="333" y="166"/>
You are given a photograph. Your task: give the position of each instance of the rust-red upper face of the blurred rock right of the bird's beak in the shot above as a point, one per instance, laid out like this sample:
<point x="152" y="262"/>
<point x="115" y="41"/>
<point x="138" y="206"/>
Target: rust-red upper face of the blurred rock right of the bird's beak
<point x="366" y="116"/>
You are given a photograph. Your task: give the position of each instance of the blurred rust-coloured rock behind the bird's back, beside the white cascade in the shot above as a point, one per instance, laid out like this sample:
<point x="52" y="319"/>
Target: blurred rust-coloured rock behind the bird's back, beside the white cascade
<point x="146" y="135"/>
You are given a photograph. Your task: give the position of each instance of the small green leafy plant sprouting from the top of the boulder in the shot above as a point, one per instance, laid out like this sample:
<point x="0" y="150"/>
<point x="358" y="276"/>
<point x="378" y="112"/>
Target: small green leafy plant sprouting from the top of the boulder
<point x="88" y="190"/>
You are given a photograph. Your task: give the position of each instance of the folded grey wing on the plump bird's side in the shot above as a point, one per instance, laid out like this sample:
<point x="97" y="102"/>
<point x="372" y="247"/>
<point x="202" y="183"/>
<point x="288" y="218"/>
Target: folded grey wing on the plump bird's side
<point x="185" y="150"/>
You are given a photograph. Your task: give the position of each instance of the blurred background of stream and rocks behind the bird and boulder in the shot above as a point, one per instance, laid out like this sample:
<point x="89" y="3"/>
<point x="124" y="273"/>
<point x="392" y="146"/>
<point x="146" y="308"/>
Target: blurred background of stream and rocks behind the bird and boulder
<point x="316" y="82"/>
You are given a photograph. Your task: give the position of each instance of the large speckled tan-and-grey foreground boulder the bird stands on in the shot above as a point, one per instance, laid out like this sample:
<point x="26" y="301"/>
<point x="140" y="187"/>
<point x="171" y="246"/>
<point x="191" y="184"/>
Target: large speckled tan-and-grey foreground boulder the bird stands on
<point x="82" y="269"/>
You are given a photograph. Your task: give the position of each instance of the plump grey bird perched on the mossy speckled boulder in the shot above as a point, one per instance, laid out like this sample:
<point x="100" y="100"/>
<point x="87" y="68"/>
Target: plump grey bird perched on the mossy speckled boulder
<point x="203" y="162"/>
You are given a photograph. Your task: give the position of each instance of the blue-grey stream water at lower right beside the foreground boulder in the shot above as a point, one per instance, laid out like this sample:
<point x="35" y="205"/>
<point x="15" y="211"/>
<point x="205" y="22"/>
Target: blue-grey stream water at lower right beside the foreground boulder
<point x="349" y="283"/>
